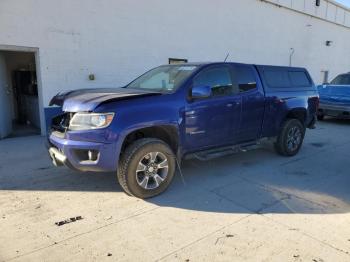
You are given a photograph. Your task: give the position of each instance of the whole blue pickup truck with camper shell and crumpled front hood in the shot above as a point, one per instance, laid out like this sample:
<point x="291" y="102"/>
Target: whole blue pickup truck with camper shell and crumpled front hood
<point x="199" y="110"/>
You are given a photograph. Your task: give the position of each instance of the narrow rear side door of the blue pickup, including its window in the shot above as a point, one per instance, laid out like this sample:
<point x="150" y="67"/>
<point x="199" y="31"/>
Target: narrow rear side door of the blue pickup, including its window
<point x="253" y="103"/>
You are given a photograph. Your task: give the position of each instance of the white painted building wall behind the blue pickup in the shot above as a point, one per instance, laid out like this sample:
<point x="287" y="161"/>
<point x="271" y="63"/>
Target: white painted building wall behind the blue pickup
<point x="120" y="39"/>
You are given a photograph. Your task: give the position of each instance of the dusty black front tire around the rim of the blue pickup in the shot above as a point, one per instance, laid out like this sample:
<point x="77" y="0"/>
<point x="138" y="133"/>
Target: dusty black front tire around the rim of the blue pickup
<point x="130" y="159"/>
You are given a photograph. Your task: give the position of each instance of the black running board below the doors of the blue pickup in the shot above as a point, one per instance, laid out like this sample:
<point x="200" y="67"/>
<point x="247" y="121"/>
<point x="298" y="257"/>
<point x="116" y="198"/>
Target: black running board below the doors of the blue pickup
<point x="223" y="151"/>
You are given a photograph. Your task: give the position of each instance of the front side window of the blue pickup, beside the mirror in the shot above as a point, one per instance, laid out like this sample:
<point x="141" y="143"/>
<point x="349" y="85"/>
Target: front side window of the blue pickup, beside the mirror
<point x="218" y="78"/>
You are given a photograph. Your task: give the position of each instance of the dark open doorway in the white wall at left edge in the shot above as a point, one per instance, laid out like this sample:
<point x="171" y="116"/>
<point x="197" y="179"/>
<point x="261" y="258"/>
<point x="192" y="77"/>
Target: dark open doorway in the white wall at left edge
<point x="19" y="102"/>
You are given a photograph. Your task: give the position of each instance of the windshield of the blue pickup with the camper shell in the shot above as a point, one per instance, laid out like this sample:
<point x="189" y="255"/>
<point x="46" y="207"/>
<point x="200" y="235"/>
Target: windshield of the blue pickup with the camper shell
<point x="163" y="78"/>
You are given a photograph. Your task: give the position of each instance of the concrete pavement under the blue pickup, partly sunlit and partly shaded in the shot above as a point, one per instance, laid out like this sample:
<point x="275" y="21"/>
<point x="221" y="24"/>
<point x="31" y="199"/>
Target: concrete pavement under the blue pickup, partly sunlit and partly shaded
<point x="255" y="206"/>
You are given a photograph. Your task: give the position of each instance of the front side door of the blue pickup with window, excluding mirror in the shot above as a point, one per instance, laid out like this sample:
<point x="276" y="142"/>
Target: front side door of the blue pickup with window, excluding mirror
<point x="209" y="121"/>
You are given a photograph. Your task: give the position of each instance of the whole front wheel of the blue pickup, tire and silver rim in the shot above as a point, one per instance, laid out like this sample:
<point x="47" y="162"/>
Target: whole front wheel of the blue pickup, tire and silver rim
<point x="147" y="168"/>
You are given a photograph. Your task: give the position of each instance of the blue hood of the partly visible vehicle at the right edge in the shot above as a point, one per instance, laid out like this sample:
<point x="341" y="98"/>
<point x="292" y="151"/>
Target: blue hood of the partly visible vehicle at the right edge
<point x="334" y="94"/>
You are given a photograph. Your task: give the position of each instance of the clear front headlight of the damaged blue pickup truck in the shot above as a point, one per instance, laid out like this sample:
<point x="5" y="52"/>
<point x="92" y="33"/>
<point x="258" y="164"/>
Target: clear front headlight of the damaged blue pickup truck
<point x="88" y="121"/>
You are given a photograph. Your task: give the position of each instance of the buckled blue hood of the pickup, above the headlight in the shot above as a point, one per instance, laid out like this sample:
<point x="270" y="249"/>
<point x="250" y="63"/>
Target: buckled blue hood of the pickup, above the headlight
<point x="88" y="99"/>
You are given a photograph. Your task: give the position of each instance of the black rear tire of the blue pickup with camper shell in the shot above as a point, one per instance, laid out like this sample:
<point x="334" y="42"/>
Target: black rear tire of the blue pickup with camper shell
<point x="283" y="145"/>
